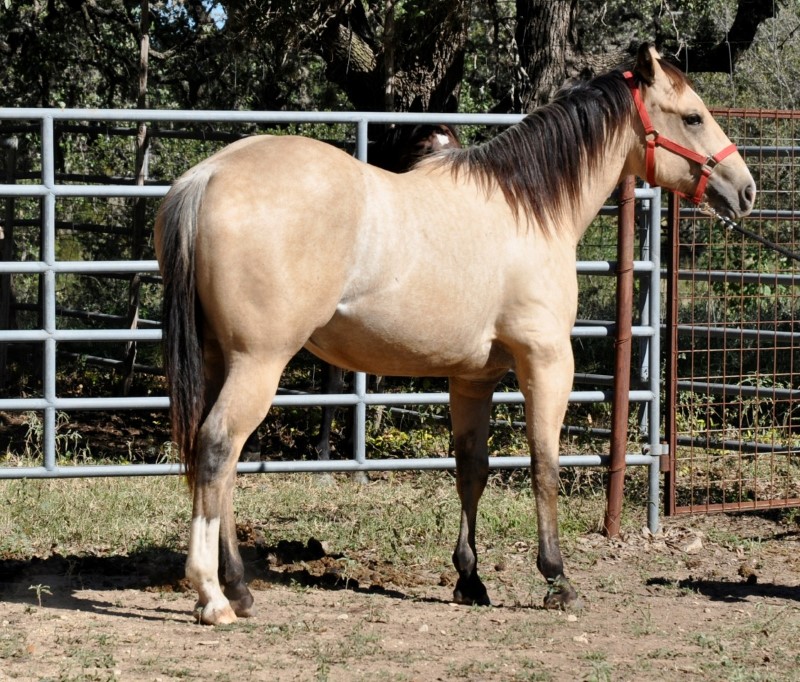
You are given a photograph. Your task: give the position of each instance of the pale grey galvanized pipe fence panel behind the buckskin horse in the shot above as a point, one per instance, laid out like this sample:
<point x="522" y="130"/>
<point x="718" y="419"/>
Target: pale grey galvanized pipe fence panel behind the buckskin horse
<point x="50" y="192"/>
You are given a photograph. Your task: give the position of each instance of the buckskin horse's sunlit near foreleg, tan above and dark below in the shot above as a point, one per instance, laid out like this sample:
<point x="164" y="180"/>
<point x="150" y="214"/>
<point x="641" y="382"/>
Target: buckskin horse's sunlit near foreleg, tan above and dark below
<point x="545" y="384"/>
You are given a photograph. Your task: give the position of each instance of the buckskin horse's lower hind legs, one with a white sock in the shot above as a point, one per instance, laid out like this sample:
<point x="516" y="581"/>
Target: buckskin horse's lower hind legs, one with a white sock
<point x="244" y="398"/>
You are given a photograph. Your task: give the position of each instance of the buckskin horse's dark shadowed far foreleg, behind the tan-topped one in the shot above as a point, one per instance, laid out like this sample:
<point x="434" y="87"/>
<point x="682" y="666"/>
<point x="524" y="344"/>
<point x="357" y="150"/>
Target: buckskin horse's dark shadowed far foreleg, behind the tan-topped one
<point x="470" y="410"/>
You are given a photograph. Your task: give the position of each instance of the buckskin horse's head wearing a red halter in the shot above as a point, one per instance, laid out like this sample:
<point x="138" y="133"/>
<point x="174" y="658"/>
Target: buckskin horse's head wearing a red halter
<point x="684" y="147"/>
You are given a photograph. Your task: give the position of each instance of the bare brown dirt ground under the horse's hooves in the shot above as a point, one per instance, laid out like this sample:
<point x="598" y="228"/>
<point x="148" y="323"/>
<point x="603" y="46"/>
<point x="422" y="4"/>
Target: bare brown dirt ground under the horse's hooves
<point x="675" y="606"/>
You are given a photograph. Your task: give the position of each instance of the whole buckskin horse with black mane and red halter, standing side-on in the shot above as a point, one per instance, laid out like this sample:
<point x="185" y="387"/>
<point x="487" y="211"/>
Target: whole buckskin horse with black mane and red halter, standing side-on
<point x="468" y="286"/>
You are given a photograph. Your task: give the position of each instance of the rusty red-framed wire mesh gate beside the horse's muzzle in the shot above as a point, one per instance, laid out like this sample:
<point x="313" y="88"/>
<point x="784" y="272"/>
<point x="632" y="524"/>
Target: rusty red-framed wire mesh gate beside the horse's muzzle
<point x="733" y="366"/>
